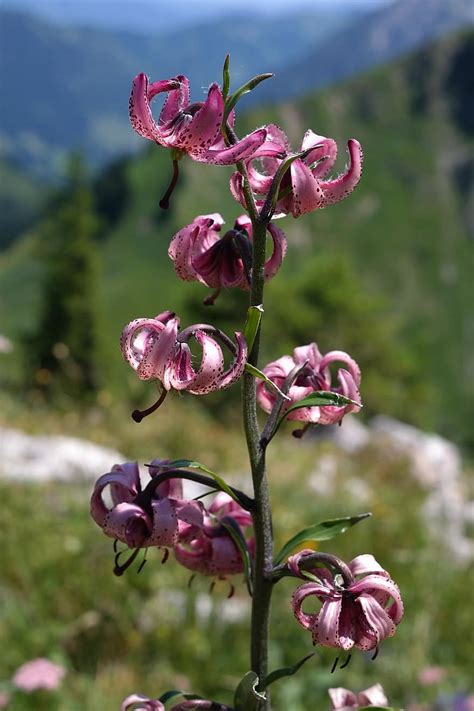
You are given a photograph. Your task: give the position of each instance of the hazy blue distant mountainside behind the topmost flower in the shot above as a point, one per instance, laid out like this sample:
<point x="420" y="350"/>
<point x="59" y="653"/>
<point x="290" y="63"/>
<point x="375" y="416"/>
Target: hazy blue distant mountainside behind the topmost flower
<point x="78" y="79"/>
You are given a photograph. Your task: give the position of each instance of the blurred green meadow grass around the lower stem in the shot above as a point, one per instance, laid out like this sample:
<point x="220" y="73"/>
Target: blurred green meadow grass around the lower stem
<point x="150" y="632"/>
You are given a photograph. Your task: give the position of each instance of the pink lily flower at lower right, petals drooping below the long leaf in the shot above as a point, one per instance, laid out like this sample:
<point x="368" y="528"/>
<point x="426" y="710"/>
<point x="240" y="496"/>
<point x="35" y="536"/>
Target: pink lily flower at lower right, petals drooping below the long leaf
<point x="356" y="612"/>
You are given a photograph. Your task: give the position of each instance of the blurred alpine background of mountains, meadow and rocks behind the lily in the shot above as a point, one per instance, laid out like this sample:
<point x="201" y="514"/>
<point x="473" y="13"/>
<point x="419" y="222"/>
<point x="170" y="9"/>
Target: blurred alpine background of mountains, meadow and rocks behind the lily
<point x="385" y="275"/>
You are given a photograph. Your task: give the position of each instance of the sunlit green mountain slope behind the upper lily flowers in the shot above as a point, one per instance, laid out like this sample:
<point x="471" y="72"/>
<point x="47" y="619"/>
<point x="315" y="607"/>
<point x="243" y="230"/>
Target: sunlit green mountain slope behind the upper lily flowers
<point x="406" y="230"/>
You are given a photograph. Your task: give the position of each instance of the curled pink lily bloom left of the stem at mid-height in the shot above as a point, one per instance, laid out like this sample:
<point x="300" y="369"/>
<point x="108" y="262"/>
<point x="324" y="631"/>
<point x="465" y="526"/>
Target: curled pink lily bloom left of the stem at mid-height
<point x="155" y="350"/>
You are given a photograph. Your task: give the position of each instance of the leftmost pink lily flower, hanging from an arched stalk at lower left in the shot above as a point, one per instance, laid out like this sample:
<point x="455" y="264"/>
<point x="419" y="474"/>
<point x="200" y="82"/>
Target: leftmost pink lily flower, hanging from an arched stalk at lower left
<point x="141" y="521"/>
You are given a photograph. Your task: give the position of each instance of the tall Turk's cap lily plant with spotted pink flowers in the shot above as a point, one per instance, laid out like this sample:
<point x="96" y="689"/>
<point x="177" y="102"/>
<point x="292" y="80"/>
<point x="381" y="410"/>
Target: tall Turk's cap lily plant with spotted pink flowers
<point x="359" y="605"/>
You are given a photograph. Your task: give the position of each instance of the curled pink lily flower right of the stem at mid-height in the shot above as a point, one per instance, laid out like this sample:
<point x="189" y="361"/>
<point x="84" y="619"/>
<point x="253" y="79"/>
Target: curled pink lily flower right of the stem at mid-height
<point x="314" y="376"/>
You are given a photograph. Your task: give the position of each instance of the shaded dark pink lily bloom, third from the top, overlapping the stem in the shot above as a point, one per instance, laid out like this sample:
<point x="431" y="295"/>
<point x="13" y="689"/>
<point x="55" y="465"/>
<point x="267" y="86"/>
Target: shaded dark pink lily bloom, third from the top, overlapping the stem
<point x="200" y="254"/>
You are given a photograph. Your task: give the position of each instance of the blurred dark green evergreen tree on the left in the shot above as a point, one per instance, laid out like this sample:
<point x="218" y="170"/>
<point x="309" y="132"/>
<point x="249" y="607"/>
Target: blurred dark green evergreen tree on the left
<point x="61" y="353"/>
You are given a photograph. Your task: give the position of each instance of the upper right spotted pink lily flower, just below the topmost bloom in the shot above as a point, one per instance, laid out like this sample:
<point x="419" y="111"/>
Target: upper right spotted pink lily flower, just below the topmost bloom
<point x="304" y="187"/>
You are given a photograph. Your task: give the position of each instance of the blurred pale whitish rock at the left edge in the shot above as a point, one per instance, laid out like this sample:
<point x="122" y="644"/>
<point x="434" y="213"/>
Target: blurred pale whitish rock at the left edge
<point x="41" y="458"/>
